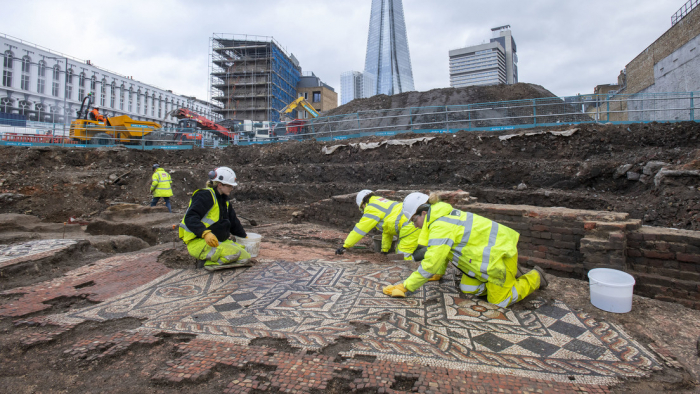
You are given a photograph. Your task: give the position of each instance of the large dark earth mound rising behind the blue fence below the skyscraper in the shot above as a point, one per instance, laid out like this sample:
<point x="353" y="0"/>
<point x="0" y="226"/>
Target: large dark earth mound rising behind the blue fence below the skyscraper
<point x="444" y="96"/>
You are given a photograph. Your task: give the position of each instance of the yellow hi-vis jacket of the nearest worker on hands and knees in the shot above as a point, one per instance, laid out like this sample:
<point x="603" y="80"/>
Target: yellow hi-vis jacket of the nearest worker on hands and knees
<point x="476" y="245"/>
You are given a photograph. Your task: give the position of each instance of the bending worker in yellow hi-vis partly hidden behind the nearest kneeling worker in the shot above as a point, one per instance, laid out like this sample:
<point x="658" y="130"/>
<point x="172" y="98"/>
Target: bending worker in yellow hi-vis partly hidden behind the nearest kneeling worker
<point x="387" y="217"/>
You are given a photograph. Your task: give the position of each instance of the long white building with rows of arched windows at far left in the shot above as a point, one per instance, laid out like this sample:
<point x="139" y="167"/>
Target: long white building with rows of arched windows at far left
<point x="48" y="86"/>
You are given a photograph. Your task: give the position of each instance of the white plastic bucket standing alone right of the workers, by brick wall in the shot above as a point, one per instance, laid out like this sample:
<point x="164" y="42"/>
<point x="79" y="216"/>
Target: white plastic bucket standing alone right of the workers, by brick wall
<point x="611" y="290"/>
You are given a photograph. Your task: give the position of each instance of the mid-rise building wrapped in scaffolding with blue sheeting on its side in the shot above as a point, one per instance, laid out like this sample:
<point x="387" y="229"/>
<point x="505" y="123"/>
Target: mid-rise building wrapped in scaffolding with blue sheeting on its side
<point x="251" y="76"/>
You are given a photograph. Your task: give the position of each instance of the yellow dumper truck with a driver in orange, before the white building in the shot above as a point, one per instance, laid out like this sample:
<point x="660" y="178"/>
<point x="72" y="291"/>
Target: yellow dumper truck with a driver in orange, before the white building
<point x="113" y="130"/>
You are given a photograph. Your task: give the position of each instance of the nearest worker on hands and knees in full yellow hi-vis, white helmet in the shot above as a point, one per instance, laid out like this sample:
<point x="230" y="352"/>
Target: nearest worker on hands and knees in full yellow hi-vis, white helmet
<point x="485" y="251"/>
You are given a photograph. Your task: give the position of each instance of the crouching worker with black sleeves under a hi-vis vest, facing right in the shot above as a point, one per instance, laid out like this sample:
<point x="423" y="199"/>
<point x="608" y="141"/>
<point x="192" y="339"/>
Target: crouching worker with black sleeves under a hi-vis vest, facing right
<point x="210" y="220"/>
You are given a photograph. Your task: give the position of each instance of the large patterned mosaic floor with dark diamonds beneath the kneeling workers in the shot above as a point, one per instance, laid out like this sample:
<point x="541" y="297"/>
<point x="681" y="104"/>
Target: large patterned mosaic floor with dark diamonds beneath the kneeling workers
<point x="314" y="303"/>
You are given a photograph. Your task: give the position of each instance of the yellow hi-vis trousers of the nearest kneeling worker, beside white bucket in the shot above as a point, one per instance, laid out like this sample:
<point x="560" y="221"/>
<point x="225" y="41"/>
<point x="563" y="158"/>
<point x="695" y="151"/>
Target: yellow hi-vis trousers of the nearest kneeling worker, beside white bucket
<point x="512" y="291"/>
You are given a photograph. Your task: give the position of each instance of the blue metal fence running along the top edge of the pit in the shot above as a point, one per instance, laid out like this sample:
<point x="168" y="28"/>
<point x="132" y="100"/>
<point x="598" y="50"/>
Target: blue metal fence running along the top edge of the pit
<point x="503" y="115"/>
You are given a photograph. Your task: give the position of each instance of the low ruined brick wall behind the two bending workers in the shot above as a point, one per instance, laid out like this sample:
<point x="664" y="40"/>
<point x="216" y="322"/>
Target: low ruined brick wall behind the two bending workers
<point x="569" y="242"/>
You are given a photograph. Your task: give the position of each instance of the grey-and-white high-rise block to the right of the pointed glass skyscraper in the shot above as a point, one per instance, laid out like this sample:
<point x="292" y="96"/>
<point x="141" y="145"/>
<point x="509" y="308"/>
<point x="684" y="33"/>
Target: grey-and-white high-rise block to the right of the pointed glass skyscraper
<point x="487" y="64"/>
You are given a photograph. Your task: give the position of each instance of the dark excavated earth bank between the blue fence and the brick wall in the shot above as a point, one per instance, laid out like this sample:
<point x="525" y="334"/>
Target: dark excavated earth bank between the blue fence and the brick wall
<point x="602" y="167"/>
